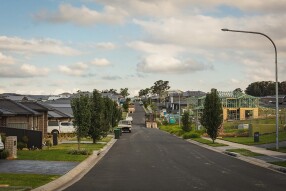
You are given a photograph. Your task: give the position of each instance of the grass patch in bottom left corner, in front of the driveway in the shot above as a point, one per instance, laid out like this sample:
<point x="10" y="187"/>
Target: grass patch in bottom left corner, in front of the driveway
<point x="25" y="180"/>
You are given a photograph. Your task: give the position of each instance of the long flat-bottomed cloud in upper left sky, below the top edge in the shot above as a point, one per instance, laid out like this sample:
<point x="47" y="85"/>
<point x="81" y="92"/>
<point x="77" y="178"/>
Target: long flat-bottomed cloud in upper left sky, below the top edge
<point x="83" y="15"/>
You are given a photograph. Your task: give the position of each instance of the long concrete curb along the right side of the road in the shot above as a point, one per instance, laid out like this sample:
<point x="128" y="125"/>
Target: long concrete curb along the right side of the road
<point x="251" y="160"/>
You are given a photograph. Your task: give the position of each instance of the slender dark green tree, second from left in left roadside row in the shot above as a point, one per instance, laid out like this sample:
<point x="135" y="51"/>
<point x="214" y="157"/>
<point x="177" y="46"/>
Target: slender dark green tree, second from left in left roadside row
<point x="97" y="116"/>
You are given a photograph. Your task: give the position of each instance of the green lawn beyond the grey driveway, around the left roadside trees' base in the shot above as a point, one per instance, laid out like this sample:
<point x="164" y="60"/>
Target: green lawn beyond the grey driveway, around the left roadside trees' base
<point x="58" y="152"/>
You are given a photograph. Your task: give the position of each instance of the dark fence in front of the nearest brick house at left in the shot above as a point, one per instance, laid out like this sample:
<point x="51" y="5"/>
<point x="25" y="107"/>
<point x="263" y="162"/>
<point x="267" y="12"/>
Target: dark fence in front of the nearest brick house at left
<point x="34" y="137"/>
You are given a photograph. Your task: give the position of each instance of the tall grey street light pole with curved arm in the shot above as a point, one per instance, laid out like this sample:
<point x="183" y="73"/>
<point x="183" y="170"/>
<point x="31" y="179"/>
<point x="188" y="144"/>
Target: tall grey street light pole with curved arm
<point x="276" y="77"/>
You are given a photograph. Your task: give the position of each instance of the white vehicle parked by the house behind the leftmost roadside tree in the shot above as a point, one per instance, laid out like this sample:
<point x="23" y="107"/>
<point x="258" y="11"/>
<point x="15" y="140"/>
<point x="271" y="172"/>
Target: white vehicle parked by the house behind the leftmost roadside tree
<point x="60" y="127"/>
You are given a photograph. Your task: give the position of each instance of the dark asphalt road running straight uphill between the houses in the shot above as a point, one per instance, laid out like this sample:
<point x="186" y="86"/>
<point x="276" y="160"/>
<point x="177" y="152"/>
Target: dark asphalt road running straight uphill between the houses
<point x="149" y="159"/>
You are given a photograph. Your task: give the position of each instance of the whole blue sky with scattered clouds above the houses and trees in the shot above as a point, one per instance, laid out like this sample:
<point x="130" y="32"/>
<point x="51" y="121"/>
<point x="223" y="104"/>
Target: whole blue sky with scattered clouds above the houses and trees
<point x="56" y="46"/>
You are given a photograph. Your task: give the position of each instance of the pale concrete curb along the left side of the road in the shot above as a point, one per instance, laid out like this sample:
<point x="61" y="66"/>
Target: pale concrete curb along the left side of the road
<point x="78" y="172"/>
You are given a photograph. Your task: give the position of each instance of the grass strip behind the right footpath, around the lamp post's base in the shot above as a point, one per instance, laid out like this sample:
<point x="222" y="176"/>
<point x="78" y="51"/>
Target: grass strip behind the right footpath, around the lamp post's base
<point x="263" y="139"/>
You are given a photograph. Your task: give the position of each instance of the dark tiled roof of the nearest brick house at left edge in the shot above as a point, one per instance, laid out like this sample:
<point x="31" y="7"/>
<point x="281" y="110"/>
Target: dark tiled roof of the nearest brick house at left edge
<point x="15" y="107"/>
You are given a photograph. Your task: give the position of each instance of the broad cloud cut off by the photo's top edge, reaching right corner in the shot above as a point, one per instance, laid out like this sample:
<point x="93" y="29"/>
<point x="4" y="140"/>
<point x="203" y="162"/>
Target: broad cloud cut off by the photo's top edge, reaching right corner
<point x="174" y="8"/>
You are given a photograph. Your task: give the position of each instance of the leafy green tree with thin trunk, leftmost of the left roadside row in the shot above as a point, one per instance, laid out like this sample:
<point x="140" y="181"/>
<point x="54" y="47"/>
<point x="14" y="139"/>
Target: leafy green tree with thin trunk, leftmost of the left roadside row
<point x="82" y="116"/>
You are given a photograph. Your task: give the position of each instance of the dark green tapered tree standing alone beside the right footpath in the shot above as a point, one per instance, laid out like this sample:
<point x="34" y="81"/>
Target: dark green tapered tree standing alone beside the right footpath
<point x="212" y="115"/>
